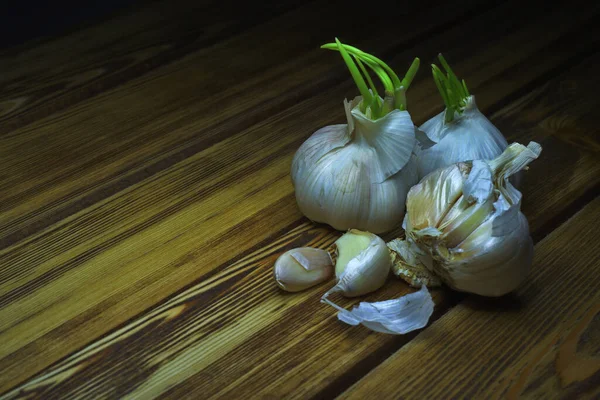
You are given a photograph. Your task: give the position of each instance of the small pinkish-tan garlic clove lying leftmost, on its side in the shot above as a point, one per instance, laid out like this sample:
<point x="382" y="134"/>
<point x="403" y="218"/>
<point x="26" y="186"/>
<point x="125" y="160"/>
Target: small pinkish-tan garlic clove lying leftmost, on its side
<point x="302" y="268"/>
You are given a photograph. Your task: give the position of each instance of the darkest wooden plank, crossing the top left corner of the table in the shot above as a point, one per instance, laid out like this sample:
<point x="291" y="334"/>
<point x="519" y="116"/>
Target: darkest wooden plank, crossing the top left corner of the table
<point x="38" y="81"/>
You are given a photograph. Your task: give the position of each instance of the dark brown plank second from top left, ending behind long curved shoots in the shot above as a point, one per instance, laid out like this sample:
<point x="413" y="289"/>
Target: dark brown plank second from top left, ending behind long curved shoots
<point x="110" y="142"/>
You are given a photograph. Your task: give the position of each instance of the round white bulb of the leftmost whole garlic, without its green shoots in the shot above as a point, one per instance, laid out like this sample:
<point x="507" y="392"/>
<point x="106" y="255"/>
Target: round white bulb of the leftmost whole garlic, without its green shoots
<point x="357" y="175"/>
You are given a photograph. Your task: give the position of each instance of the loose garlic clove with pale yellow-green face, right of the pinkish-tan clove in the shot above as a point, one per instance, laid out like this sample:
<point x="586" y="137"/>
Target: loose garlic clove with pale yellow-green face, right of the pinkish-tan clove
<point x="363" y="263"/>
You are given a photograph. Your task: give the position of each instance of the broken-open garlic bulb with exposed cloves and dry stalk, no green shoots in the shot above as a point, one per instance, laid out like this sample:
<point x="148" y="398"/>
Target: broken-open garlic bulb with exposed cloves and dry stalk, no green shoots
<point x="464" y="225"/>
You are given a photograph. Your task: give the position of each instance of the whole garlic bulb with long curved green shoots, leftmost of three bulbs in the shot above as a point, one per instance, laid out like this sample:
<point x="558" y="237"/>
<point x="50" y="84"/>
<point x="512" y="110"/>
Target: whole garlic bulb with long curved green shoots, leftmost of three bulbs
<point x="357" y="175"/>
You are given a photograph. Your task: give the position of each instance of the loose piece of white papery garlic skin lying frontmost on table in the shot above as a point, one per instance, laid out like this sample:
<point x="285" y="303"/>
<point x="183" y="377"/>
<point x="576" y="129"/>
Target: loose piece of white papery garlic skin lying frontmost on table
<point x="396" y="316"/>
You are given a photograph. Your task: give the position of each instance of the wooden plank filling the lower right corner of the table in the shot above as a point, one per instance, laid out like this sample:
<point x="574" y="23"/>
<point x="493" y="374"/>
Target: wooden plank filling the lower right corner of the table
<point x="541" y="342"/>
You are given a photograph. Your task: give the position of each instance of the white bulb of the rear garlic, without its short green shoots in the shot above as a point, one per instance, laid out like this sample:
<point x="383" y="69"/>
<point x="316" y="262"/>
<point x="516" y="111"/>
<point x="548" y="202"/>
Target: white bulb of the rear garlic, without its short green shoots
<point x="470" y="136"/>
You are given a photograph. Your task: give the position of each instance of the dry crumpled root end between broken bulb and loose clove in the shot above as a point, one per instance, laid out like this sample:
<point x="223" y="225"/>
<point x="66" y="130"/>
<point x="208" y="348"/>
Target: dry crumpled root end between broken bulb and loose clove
<point x="407" y="265"/>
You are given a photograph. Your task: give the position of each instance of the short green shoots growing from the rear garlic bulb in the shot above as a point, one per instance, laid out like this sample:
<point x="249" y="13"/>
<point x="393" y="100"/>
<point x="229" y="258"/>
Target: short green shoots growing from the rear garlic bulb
<point x="454" y="92"/>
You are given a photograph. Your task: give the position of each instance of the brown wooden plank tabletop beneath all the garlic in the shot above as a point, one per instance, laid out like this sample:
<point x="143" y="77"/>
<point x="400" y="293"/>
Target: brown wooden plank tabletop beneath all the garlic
<point x="145" y="194"/>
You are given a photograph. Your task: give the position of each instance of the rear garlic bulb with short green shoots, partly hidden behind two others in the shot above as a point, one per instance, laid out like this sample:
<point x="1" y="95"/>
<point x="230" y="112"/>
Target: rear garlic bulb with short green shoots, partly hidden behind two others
<point x="461" y="132"/>
